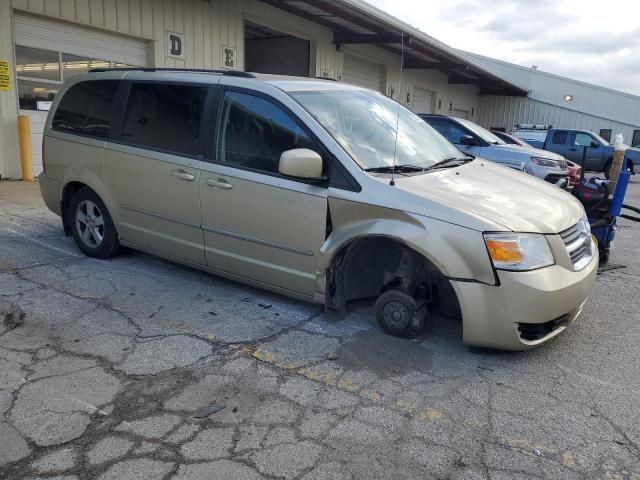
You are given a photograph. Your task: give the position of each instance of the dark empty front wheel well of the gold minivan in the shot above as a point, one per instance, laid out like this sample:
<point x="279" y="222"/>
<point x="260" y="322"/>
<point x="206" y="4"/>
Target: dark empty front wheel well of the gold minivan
<point x="366" y="267"/>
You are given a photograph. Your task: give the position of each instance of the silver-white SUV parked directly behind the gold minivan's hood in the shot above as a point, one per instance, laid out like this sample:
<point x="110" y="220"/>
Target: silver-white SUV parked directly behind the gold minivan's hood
<point x="475" y="140"/>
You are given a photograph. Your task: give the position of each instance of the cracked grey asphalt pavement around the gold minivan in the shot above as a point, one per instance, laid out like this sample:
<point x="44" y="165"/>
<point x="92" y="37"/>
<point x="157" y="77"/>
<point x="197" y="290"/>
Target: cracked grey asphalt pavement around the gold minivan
<point x="136" y="368"/>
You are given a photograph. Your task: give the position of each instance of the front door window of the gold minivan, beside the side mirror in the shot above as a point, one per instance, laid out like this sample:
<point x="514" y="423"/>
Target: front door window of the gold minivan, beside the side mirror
<point x="254" y="132"/>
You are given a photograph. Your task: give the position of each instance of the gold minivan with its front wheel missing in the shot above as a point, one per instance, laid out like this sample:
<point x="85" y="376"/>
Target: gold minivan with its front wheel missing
<point x="318" y="190"/>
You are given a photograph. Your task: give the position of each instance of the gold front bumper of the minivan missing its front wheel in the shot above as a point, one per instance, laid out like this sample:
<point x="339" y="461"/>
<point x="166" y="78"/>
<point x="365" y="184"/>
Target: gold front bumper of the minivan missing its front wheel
<point x="501" y="316"/>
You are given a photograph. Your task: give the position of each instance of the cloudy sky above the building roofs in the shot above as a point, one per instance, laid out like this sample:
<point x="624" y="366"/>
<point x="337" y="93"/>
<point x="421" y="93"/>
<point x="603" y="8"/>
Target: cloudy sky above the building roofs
<point x="596" y="42"/>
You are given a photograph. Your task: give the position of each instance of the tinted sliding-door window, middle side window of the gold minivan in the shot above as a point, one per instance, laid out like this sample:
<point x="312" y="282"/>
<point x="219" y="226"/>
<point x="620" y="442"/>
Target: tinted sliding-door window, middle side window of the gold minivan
<point x="165" y="117"/>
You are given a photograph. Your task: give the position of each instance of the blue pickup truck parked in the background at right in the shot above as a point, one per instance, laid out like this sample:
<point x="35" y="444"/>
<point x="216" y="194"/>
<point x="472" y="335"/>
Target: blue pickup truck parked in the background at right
<point x="570" y="144"/>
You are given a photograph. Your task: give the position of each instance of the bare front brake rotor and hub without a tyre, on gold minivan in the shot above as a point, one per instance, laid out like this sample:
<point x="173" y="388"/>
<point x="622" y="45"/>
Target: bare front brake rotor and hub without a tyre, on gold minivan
<point x="399" y="314"/>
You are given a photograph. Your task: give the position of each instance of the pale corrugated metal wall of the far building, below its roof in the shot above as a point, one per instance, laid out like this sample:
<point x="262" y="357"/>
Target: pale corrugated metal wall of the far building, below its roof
<point x="498" y="111"/>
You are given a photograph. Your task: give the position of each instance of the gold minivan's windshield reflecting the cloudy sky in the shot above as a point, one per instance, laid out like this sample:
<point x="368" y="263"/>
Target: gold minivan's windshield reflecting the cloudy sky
<point x="364" y="124"/>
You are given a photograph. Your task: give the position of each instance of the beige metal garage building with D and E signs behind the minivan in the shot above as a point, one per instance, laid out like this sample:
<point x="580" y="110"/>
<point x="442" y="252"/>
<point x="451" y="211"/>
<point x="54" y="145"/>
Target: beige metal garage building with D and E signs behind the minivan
<point x="42" y="42"/>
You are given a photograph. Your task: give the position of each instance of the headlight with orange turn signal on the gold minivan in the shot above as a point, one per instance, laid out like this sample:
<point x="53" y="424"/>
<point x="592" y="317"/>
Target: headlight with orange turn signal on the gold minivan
<point x="518" y="251"/>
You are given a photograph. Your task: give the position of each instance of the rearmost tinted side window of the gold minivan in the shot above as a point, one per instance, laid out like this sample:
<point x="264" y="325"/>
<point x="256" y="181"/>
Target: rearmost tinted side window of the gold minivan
<point x="86" y="108"/>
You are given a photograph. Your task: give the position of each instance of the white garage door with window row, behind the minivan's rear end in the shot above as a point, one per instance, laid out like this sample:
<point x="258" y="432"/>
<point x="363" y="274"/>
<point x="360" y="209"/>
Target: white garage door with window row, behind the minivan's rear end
<point x="47" y="52"/>
